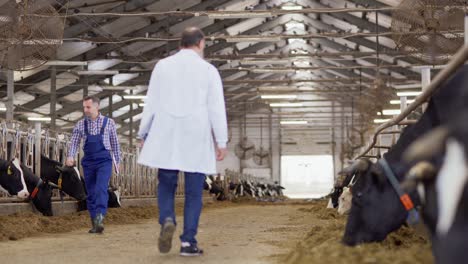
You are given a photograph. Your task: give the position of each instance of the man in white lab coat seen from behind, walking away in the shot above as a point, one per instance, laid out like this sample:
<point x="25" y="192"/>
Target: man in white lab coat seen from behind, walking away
<point x="184" y="109"/>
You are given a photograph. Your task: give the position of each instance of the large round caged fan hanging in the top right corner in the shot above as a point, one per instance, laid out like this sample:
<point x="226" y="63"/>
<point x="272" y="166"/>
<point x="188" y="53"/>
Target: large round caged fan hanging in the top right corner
<point x="433" y="29"/>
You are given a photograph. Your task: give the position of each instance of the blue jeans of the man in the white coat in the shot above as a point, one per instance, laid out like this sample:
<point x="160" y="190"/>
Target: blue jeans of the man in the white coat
<point x="193" y="200"/>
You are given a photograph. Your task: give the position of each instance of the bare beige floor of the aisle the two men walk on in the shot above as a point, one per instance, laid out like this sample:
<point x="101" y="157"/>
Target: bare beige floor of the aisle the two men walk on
<point x="241" y="234"/>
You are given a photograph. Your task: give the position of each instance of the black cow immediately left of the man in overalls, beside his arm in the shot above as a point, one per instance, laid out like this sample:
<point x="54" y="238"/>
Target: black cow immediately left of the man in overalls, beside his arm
<point x="66" y="179"/>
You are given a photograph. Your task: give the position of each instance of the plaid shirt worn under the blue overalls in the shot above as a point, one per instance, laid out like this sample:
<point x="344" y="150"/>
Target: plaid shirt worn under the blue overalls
<point x="111" y="141"/>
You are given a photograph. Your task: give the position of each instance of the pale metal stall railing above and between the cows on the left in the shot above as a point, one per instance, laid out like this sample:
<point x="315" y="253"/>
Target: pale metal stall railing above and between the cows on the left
<point x="20" y="140"/>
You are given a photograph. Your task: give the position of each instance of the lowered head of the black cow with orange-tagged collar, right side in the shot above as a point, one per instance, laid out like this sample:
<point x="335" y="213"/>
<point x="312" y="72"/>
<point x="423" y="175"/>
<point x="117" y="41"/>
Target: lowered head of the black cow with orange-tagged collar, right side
<point x="375" y="210"/>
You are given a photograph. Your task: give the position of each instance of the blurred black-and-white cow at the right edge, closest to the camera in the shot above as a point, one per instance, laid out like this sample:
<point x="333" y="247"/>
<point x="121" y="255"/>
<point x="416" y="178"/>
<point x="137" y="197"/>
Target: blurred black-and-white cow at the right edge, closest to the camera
<point x="443" y="189"/>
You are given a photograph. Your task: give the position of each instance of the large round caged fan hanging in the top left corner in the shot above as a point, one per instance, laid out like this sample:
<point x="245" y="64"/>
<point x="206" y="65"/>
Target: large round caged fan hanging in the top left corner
<point x="30" y="33"/>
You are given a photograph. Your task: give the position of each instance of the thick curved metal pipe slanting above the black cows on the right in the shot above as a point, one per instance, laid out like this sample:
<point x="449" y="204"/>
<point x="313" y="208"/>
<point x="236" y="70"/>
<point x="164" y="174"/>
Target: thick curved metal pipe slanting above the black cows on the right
<point x="457" y="60"/>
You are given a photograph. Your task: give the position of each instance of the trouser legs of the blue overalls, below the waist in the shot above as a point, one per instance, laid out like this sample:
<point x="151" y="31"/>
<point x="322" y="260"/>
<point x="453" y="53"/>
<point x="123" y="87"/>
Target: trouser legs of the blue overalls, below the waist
<point x="96" y="178"/>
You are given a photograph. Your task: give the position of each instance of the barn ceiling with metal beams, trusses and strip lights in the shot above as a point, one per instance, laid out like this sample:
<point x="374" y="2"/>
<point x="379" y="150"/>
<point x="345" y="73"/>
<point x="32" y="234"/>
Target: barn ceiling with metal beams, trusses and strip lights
<point x="318" y="51"/>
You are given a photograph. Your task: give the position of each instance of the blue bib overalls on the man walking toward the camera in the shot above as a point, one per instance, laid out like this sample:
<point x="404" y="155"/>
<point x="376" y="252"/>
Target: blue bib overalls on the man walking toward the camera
<point x="97" y="168"/>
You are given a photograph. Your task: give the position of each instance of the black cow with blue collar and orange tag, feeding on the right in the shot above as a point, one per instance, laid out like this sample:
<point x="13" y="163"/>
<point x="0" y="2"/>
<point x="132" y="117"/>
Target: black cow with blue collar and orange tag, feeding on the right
<point x="376" y="208"/>
